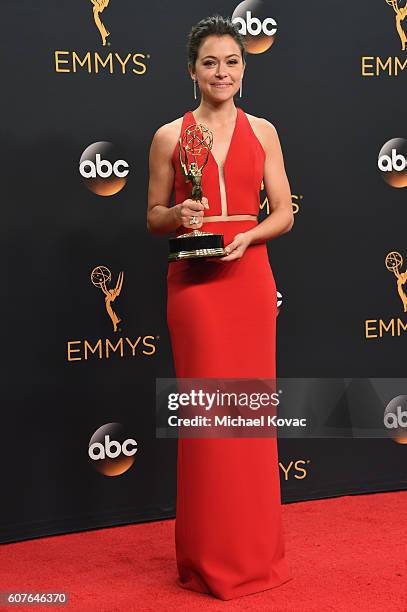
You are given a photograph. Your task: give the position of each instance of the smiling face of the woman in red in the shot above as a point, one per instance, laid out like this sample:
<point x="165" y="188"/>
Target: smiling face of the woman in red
<point x="219" y="67"/>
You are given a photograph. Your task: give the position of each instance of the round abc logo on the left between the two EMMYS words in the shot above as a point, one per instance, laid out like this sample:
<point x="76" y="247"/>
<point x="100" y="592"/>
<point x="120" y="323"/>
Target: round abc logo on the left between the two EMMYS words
<point x="102" y="169"/>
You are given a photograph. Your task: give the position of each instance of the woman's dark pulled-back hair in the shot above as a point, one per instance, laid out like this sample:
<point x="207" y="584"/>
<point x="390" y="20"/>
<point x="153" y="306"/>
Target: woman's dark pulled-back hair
<point x="214" y="25"/>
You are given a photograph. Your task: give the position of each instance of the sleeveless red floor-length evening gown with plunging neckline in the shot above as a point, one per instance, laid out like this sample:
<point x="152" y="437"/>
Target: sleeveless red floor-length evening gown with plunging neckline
<point x="222" y="323"/>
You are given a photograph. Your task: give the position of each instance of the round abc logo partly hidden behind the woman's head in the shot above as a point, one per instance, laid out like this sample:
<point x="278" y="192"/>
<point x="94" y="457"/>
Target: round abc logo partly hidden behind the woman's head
<point x="255" y="25"/>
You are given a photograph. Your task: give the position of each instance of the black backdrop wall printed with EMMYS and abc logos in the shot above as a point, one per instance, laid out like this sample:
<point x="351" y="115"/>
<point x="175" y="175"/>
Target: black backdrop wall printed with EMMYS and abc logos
<point x="85" y="86"/>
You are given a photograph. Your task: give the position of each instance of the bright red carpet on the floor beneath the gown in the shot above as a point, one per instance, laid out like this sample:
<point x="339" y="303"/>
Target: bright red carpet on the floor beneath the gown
<point x="346" y="553"/>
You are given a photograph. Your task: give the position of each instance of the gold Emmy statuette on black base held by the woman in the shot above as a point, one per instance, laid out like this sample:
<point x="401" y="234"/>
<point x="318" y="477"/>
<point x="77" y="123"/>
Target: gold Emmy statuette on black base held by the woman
<point x="194" y="147"/>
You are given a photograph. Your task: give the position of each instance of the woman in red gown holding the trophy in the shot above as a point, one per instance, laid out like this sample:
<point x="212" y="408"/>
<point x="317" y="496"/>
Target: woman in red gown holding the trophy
<point x="221" y="315"/>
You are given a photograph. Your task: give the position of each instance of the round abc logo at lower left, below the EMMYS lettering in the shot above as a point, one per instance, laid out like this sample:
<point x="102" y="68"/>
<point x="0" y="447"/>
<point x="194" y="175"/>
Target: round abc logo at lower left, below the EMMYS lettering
<point x="111" y="450"/>
